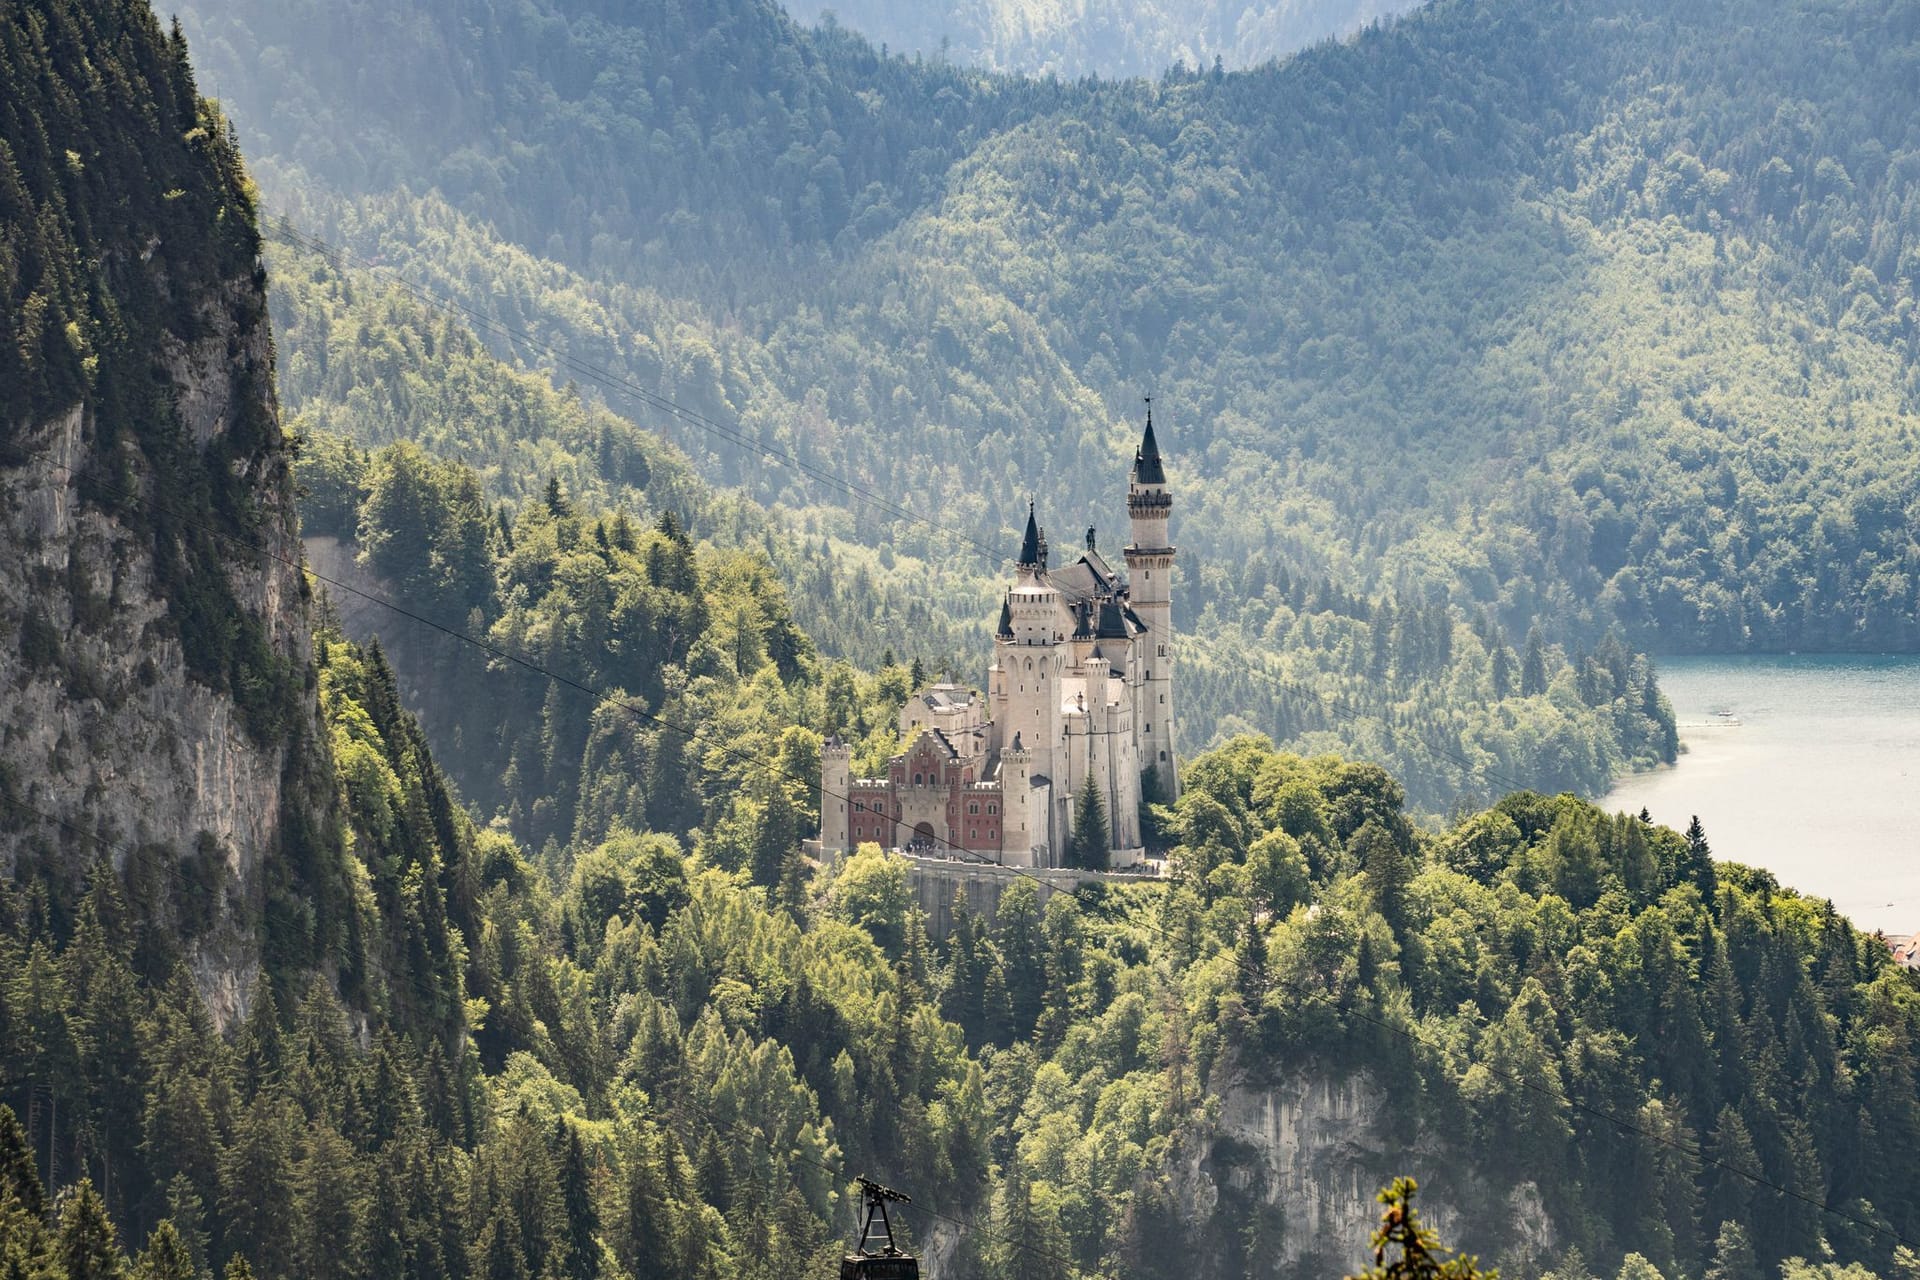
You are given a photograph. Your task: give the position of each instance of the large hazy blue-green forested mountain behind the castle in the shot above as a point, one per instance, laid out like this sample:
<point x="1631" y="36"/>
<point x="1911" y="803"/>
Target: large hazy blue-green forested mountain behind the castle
<point x="1596" y="316"/>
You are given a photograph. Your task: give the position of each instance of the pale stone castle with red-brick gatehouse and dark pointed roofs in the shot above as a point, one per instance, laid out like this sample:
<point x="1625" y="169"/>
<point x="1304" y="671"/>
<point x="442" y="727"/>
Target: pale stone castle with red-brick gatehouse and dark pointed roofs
<point x="1082" y="684"/>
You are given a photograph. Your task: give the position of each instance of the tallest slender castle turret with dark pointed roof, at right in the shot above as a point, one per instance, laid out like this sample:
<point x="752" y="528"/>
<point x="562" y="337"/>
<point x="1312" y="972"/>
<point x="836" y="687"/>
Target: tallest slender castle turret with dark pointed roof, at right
<point x="1151" y="592"/>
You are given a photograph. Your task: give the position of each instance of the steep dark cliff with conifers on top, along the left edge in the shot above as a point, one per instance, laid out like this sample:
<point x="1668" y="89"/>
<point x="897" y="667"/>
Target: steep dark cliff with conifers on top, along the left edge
<point x="155" y="673"/>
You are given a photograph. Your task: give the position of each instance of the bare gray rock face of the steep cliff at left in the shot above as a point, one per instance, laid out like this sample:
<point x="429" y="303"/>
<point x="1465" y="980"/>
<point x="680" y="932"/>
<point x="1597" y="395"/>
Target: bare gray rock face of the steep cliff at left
<point x="108" y="746"/>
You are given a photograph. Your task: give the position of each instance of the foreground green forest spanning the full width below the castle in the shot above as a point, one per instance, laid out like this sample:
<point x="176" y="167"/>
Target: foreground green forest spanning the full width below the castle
<point x="627" y="1058"/>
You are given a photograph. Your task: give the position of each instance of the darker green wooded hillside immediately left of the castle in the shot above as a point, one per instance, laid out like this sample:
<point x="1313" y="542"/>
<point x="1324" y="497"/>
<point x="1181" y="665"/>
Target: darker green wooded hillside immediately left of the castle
<point x="679" y="634"/>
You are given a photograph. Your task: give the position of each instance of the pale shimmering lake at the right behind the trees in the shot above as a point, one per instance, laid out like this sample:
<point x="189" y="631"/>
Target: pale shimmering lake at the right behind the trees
<point x="1808" y="767"/>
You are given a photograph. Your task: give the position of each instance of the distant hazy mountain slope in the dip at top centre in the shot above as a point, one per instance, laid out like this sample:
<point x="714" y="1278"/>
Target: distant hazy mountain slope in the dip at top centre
<point x="1099" y="37"/>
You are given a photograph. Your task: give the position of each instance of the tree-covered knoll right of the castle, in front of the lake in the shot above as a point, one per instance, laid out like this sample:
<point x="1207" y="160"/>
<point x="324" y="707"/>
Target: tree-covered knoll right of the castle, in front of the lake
<point x="1548" y="964"/>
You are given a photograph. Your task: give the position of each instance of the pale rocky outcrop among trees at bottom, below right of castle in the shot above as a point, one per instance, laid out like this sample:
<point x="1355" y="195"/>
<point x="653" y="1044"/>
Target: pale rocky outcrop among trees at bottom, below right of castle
<point x="1297" y="1160"/>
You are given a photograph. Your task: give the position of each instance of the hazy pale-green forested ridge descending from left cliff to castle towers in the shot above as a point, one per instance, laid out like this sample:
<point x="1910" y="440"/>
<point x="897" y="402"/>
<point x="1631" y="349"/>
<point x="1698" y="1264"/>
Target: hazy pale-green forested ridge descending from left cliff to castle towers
<point x="366" y="366"/>
